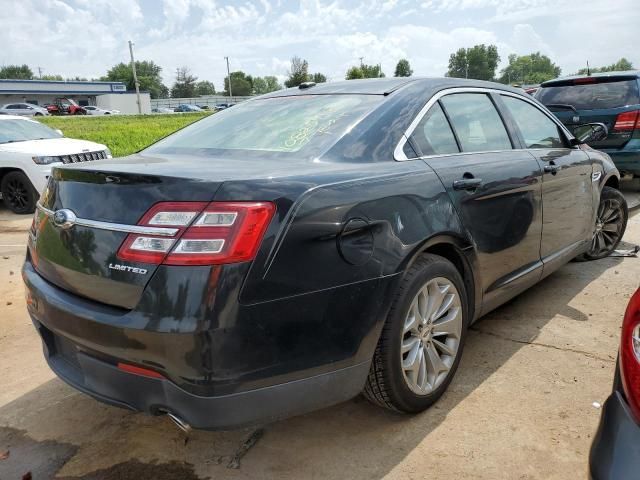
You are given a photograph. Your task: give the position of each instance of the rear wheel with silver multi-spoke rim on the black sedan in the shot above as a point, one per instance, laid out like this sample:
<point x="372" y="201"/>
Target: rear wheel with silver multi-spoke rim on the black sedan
<point x="422" y="340"/>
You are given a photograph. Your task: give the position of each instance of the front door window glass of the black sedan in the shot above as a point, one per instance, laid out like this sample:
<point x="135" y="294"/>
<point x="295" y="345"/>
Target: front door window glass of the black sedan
<point x="538" y="130"/>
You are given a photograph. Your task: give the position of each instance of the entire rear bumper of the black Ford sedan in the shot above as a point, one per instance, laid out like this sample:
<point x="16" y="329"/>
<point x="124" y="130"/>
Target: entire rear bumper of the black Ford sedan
<point x="256" y="364"/>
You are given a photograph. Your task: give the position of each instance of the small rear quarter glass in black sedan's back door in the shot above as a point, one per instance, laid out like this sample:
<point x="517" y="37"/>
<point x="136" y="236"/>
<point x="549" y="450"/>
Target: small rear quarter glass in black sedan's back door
<point x="433" y="135"/>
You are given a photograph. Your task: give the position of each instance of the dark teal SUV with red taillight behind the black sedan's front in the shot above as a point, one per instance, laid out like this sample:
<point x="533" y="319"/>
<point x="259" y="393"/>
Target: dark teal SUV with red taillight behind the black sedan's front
<point x="612" y="98"/>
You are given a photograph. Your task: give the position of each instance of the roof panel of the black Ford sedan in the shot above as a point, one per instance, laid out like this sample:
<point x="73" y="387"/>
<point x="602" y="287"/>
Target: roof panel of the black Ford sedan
<point x="386" y="86"/>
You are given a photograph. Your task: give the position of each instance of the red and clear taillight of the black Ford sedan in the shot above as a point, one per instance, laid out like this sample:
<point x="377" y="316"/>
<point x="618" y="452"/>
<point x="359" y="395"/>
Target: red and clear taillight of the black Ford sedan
<point x="206" y="234"/>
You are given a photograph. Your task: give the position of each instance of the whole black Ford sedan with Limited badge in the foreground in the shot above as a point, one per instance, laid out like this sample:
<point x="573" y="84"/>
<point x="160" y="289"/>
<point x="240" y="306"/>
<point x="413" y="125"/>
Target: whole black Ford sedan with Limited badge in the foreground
<point x="308" y="245"/>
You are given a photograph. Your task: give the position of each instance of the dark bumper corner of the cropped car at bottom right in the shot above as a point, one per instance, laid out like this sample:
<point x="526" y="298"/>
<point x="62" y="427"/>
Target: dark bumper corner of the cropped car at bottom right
<point x="615" y="452"/>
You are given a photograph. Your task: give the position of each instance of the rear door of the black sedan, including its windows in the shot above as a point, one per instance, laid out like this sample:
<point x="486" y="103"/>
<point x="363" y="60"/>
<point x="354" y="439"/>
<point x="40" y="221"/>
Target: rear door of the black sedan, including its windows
<point x="495" y="188"/>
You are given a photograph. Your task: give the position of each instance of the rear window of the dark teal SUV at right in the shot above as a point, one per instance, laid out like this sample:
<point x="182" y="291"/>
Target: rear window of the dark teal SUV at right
<point x="592" y="96"/>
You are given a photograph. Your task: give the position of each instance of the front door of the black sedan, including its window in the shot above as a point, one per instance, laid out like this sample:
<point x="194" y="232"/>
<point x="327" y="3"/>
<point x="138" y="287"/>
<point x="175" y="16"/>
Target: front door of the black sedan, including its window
<point x="567" y="184"/>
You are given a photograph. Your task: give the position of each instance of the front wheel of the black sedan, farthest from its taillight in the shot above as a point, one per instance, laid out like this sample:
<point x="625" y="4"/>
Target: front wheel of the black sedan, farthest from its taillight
<point x="611" y="223"/>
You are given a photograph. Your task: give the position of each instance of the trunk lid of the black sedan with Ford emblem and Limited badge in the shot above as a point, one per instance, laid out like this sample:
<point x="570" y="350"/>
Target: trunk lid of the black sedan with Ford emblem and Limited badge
<point x="82" y="258"/>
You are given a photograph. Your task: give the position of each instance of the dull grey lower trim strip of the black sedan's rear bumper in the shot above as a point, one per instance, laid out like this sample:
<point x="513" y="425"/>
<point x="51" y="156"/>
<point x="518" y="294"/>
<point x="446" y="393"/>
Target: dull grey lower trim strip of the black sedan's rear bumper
<point x="107" y="383"/>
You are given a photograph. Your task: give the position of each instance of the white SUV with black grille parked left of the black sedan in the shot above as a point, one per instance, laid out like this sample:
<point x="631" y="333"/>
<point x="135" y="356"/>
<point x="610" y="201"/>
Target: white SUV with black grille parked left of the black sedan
<point x="28" y="150"/>
